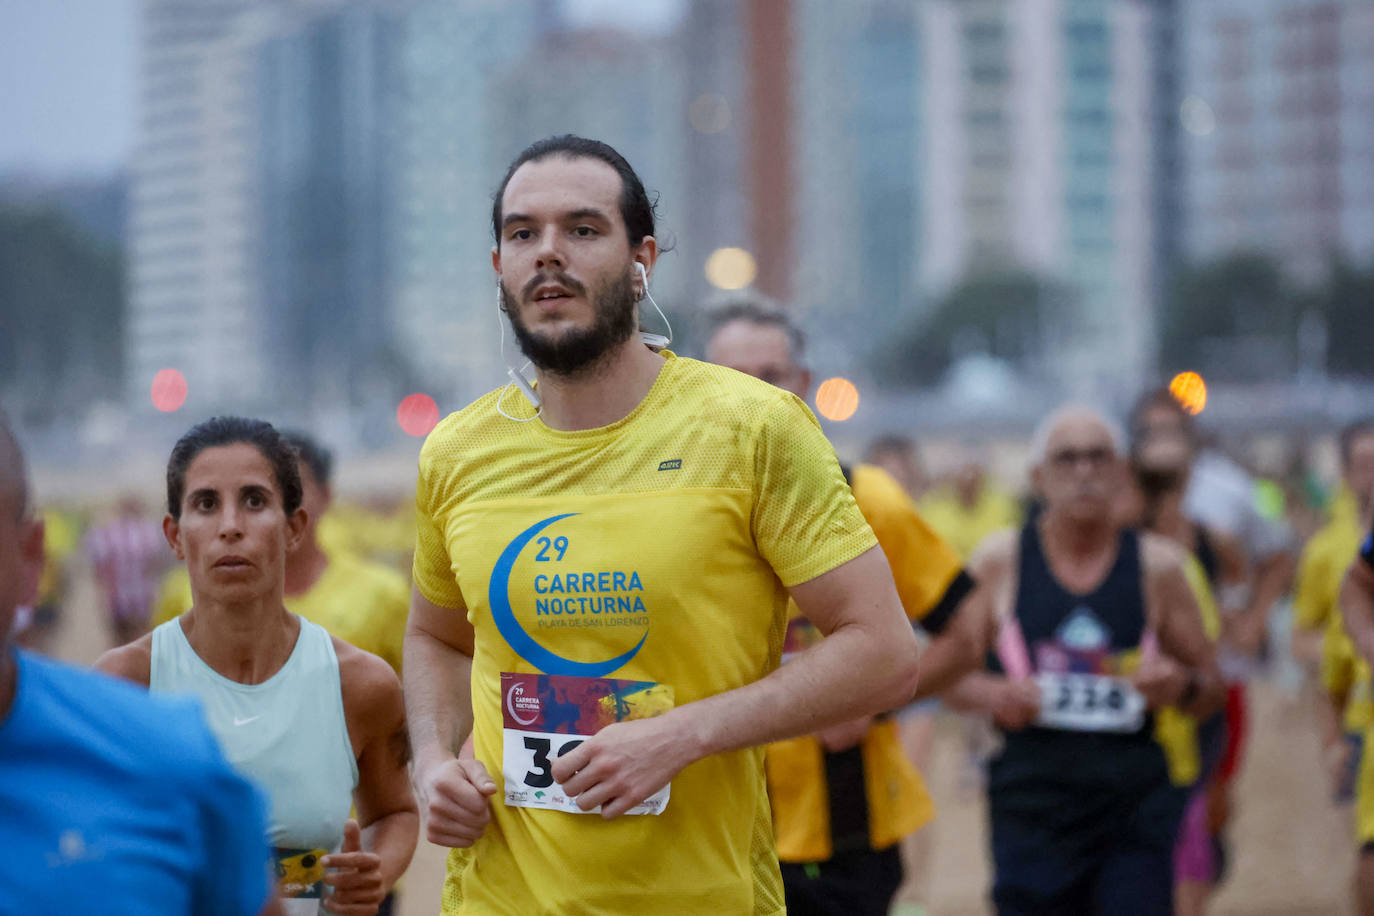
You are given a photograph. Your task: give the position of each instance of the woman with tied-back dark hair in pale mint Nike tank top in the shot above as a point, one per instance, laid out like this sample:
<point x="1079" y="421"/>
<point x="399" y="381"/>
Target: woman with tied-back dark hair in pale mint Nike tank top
<point x="317" y="723"/>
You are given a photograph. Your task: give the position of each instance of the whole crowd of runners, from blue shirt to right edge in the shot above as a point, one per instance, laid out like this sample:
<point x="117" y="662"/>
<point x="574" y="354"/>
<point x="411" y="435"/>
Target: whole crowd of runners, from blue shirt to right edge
<point x="659" y="649"/>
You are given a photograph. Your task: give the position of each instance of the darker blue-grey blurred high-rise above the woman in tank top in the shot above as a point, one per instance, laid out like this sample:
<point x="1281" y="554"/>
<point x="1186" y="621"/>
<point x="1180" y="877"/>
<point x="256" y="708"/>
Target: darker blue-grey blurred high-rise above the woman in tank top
<point x="328" y="87"/>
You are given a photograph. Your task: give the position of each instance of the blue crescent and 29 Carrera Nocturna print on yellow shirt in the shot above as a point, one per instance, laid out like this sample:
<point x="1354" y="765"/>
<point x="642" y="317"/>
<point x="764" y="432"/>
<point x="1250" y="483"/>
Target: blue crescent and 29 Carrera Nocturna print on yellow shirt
<point x="570" y="597"/>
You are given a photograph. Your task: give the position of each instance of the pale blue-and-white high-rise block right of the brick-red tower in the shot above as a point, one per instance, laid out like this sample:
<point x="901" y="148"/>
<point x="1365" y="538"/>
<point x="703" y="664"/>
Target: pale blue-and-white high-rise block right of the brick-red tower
<point x="945" y="141"/>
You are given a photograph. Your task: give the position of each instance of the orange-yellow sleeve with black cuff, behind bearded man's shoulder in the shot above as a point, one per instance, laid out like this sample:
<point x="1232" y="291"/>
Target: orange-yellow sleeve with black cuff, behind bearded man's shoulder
<point x="925" y="569"/>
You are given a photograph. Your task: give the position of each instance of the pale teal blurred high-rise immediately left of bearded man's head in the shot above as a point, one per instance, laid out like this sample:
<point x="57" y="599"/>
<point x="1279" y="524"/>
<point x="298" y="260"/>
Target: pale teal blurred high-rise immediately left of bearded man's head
<point x="447" y="165"/>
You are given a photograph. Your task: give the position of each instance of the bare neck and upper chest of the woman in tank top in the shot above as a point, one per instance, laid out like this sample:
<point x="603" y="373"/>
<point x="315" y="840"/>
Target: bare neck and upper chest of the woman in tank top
<point x="245" y="642"/>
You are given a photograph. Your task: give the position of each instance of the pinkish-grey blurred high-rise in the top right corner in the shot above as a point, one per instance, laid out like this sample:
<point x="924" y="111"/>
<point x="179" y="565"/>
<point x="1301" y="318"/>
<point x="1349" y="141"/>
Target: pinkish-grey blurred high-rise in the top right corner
<point x="1279" y="117"/>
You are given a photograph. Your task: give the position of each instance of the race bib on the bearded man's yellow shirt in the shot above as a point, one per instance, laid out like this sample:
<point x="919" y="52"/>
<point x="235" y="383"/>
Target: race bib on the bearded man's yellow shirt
<point x="548" y="716"/>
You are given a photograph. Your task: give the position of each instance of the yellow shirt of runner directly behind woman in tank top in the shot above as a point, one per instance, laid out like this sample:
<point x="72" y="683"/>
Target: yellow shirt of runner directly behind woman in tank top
<point x="362" y="604"/>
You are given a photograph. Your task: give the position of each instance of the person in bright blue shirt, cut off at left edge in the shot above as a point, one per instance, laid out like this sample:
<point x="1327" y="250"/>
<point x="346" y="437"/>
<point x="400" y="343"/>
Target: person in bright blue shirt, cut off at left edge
<point x="111" y="800"/>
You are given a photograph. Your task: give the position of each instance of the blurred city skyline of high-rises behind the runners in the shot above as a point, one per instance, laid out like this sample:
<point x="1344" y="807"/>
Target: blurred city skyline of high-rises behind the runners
<point x="993" y="203"/>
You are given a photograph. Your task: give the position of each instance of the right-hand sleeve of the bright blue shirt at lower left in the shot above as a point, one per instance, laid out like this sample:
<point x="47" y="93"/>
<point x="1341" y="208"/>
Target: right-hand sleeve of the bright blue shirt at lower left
<point x="234" y="878"/>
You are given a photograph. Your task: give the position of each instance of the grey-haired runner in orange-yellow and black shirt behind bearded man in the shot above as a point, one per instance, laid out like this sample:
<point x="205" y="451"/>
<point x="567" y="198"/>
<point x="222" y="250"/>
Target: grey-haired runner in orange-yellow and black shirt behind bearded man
<point x="844" y="800"/>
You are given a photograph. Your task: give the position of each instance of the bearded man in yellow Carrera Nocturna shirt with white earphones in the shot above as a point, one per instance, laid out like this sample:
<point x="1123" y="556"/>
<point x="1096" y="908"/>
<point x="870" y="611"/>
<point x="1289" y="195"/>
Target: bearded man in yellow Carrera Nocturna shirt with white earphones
<point x="604" y="561"/>
